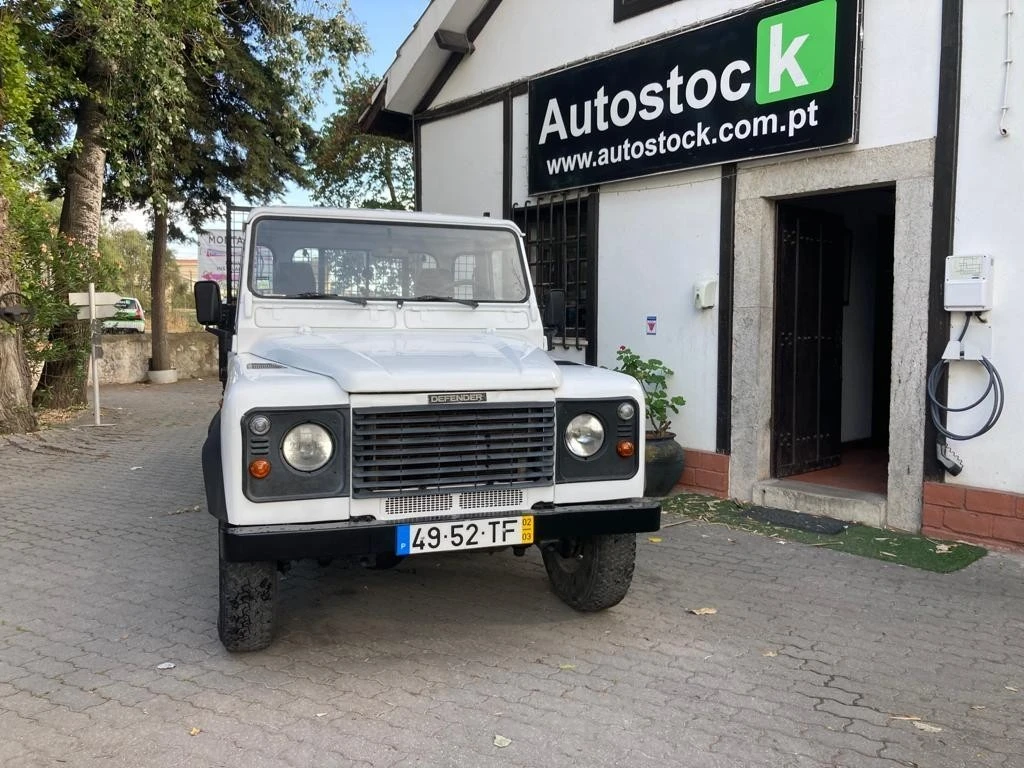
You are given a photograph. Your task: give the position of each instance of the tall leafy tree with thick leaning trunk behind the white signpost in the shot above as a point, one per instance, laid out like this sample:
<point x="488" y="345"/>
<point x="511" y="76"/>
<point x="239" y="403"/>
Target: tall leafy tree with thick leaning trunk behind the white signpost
<point x="123" y="67"/>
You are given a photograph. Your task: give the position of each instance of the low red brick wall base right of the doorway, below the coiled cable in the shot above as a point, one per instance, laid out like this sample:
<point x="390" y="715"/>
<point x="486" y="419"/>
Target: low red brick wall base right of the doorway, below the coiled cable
<point x="960" y="513"/>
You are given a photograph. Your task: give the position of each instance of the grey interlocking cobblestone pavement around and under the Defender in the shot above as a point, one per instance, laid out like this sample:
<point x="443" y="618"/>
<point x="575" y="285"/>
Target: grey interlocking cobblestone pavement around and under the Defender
<point x="108" y="569"/>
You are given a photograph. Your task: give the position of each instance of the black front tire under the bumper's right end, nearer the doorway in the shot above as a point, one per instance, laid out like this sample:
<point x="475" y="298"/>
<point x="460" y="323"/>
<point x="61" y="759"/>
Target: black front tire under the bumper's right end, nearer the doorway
<point x="593" y="573"/>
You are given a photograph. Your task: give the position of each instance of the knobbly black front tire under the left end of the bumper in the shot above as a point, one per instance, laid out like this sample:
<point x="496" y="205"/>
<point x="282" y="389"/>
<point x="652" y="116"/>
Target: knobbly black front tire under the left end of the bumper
<point x="248" y="601"/>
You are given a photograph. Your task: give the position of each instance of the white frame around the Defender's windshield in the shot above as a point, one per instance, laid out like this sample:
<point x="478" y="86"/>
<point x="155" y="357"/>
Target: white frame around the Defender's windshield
<point x="511" y="231"/>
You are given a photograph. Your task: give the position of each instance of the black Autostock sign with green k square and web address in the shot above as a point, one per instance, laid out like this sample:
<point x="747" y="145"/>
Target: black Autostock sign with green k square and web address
<point x="776" y="79"/>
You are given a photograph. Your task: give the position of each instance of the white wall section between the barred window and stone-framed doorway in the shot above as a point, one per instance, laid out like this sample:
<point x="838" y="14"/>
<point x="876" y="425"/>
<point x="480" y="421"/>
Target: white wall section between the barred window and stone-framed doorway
<point x="658" y="238"/>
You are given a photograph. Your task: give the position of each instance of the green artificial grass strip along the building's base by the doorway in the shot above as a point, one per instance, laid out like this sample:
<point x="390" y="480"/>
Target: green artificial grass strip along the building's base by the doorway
<point x="888" y="546"/>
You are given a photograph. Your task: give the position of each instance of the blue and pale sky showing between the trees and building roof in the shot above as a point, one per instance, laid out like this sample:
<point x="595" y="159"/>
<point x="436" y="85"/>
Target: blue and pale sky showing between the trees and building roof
<point x="388" y="24"/>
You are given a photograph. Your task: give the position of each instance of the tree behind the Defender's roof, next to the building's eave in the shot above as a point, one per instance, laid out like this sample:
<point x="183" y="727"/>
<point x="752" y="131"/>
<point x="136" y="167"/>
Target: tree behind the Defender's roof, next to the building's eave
<point x="357" y="169"/>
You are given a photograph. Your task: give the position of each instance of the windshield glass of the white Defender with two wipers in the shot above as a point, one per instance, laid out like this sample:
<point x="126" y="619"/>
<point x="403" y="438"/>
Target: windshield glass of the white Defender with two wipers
<point x="366" y="261"/>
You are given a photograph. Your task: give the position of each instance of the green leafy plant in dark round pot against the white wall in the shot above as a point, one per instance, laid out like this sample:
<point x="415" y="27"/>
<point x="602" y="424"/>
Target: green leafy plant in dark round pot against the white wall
<point x="664" y="457"/>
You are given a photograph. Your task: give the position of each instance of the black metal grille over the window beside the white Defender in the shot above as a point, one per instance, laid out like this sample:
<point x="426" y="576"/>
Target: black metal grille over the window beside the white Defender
<point x="560" y="253"/>
